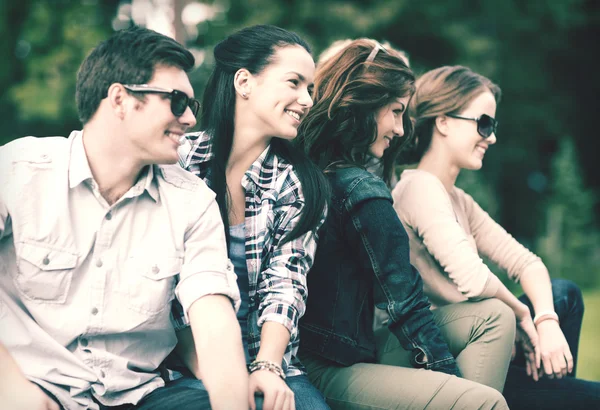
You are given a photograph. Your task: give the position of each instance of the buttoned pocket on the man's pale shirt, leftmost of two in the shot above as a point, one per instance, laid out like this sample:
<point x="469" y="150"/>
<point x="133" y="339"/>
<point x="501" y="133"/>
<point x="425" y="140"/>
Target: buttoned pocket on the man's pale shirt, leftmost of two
<point x="44" y="273"/>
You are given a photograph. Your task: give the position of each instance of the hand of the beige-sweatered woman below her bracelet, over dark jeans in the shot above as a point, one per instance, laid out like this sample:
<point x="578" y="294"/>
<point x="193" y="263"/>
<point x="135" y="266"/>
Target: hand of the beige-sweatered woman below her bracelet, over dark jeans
<point x="557" y="359"/>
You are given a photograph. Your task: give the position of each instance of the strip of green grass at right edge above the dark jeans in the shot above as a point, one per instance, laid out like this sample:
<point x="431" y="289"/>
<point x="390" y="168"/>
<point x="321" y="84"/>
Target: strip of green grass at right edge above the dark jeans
<point x="588" y="364"/>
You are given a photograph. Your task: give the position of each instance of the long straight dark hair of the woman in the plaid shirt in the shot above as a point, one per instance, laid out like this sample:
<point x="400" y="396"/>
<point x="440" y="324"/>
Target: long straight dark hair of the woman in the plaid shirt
<point x="253" y="48"/>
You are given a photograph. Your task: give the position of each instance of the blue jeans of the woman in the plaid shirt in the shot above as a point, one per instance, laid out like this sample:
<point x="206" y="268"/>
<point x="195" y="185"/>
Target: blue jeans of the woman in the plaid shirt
<point x="307" y="396"/>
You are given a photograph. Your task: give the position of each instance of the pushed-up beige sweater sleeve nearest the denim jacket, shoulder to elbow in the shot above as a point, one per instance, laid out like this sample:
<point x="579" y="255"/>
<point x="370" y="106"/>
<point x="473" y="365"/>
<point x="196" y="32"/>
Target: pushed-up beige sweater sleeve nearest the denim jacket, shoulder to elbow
<point x="424" y="205"/>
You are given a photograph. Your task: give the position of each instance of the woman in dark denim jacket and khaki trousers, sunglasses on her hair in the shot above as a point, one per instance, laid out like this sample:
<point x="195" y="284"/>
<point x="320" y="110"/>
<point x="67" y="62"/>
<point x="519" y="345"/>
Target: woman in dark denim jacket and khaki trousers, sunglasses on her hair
<point x="366" y="308"/>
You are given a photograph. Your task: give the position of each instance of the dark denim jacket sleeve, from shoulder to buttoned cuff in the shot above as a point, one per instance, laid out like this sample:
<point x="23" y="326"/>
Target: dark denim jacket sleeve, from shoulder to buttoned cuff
<point x="375" y="232"/>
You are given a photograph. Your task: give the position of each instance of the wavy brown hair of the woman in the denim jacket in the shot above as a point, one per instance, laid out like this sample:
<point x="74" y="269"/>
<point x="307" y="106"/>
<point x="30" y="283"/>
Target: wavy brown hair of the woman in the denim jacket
<point x="349" y="91"/>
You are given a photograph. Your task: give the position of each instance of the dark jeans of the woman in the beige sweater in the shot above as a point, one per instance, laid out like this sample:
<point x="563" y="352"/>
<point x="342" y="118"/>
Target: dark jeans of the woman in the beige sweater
<point x="522" y="392"/>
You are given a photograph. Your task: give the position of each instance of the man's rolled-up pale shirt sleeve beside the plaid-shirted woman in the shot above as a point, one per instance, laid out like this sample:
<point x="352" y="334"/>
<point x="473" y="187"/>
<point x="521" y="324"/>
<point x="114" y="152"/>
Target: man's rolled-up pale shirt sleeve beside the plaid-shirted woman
<point x="206" y="269"/>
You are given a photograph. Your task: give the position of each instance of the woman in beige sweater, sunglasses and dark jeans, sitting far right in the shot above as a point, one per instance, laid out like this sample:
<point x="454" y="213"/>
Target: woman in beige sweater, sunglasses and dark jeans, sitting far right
<point x="454" y="110"/>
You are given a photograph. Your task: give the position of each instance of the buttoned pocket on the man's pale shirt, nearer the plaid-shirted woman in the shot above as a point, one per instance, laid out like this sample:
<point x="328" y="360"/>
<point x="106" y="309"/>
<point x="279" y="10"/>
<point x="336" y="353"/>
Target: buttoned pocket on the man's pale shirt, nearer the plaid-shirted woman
<point x="151" y="282"/>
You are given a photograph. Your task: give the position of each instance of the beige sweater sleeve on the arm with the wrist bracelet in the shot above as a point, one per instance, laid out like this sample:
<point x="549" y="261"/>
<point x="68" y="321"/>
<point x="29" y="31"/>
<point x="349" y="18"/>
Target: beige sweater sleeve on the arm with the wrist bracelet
<point x="494" y="242"/>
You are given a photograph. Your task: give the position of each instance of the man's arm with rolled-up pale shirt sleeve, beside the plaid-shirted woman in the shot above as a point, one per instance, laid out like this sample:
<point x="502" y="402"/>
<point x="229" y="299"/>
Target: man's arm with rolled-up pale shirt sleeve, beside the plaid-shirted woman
<point x="206" y="290"/>
